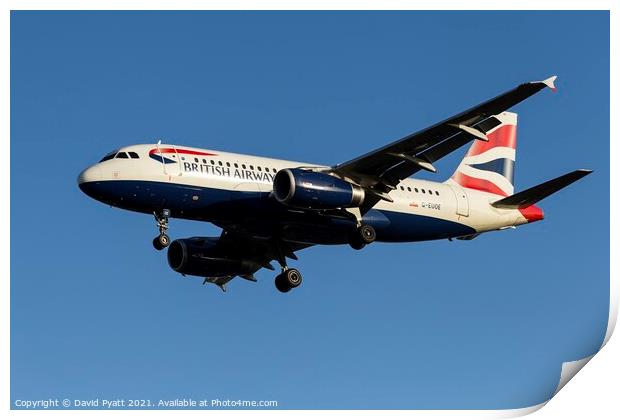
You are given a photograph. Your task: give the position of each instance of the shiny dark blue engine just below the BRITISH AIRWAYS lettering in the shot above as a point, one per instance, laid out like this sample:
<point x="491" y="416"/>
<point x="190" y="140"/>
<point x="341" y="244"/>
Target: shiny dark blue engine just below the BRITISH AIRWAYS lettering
<point x="314" y="190"/>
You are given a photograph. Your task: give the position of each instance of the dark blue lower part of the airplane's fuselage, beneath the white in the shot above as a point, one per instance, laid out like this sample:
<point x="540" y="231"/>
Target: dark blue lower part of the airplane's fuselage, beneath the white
<point x="211" y="204"/>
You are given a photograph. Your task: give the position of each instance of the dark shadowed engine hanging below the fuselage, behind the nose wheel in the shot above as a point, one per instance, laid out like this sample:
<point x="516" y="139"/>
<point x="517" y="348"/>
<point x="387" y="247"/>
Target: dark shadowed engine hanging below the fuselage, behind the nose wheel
<point x="204" y="257"/>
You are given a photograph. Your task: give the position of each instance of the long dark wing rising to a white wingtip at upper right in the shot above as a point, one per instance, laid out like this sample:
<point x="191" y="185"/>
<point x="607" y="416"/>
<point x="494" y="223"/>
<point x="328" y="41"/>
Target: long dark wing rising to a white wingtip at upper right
<point x="381" y="170"/>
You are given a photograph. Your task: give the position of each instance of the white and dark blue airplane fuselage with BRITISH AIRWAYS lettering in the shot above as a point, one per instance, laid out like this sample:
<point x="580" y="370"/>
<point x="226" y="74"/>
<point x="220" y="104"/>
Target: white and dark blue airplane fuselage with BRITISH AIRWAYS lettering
<point x="230" y="189"/>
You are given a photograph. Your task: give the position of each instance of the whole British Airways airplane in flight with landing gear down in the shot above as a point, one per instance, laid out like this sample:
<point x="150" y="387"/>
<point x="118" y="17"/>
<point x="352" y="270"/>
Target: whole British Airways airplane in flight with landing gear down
<point x="268" y="209"/>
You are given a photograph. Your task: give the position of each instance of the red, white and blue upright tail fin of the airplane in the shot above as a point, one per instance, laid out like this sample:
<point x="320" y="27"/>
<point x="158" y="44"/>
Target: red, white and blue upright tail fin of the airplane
<point x="489" y="165"/>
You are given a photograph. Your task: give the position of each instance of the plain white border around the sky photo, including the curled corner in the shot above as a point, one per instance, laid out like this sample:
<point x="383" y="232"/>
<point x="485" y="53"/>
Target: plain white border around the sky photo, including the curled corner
<point x="606" y="407"/>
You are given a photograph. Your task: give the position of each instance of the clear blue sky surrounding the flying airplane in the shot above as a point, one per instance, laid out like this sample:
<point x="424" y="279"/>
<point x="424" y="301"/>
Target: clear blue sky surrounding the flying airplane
<point x="96" y="312"/>
